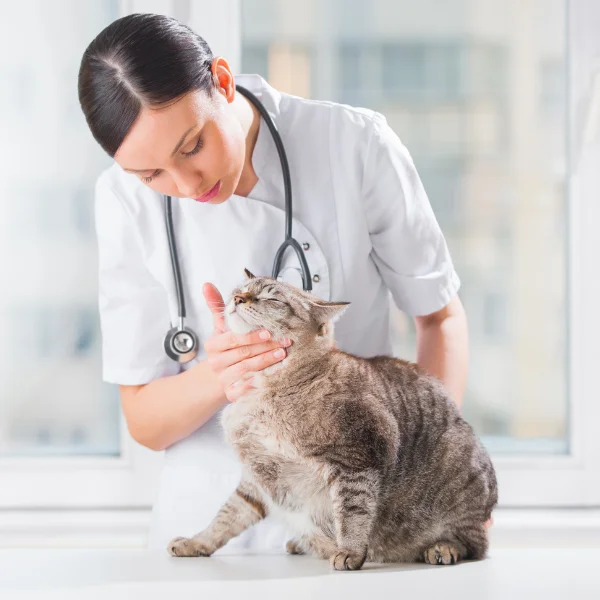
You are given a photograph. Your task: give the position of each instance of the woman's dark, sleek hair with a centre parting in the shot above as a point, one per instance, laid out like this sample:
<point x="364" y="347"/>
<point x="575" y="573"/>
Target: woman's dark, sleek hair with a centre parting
<point x="139" y="60"/>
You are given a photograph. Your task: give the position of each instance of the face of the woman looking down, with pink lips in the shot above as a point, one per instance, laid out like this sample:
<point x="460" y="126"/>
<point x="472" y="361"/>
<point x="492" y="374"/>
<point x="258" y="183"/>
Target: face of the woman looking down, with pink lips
<point x="193" y="148"/>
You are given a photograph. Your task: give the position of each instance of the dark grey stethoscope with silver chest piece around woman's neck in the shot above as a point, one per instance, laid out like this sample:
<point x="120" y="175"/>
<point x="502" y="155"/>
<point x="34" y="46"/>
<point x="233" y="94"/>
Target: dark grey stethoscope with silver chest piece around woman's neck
<point x="181" y="342"/>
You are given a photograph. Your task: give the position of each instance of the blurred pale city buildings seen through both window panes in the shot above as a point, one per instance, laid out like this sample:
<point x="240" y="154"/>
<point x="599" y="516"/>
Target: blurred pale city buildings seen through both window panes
<point x="474" y="88"/>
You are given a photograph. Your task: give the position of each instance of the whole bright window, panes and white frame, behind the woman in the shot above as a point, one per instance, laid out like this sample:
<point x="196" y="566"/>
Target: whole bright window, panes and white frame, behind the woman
<point x="501" y="122"/>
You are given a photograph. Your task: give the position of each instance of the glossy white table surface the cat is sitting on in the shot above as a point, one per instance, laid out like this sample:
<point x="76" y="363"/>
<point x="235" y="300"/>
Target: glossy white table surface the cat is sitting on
<point x="548" y="573"/>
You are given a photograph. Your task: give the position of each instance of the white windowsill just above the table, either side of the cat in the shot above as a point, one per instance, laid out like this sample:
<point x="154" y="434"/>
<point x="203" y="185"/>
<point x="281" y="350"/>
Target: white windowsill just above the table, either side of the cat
<point x="529" y="527"/>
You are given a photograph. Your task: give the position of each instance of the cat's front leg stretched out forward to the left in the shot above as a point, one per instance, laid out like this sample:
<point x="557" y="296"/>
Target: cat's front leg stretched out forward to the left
<point x="243" y="509"/>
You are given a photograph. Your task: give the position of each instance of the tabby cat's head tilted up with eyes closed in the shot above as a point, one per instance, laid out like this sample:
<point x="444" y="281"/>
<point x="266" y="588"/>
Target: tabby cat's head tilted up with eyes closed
<point x="283" y="309"/>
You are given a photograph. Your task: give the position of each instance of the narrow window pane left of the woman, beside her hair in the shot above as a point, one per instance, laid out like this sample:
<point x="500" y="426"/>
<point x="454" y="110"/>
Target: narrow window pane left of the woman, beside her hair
<point x="53" y="401"/>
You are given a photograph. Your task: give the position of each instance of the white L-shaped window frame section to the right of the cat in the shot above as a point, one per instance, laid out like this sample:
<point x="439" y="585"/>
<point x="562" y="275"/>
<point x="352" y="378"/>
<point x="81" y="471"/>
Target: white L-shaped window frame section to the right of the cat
<point x="573" y="479"/>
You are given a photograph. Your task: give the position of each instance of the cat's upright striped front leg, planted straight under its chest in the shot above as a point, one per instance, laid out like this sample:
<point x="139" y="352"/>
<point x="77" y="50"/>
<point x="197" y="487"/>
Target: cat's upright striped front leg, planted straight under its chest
<point x="354" y="496"/>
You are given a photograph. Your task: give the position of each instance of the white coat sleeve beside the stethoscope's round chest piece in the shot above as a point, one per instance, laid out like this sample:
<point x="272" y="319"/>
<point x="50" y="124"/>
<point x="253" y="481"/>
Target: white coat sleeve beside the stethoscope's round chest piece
<point x="133" y="305"/>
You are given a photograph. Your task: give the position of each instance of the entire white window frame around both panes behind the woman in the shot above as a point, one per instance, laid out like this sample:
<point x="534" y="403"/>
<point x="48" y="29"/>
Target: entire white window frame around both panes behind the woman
<point x="572" y="480"/>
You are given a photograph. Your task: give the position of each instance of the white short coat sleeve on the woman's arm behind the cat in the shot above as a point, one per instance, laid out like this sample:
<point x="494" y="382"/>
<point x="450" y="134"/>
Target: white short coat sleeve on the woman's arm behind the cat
<point x="408" y="246"/>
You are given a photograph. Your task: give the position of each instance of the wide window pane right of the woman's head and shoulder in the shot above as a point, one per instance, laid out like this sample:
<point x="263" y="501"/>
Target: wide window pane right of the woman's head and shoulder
<point x="476" y="91"/>
